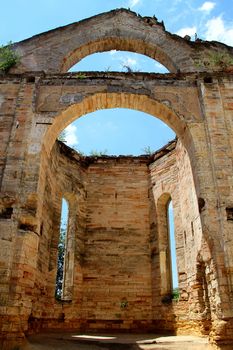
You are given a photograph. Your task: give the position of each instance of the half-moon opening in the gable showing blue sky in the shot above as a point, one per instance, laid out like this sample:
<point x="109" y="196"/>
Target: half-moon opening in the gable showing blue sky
<point x="118" y="61"/>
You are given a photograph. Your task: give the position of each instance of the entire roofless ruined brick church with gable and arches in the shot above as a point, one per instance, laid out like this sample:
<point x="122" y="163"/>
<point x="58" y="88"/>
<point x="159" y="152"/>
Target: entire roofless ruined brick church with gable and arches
<point x="117" y="272"/>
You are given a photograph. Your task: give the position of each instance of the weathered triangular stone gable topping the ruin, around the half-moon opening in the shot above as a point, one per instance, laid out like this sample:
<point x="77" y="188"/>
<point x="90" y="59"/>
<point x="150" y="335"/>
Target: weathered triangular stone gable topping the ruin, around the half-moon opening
<point x="57" y="50"/>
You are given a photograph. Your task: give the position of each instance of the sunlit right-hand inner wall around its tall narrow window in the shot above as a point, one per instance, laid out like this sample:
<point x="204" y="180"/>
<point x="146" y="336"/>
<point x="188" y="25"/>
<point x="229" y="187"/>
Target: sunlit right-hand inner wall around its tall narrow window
<point x="171" y="179"/>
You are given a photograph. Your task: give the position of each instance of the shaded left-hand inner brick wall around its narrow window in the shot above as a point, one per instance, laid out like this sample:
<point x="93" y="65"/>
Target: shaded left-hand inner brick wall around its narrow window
<point x="65" y="179"/>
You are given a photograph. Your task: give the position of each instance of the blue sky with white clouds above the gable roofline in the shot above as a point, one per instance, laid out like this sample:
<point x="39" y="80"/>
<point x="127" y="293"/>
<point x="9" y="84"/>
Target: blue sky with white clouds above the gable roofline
<point x="23" y="18"/>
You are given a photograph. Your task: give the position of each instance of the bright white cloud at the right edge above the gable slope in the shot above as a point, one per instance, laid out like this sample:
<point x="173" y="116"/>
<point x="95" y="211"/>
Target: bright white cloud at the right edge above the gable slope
<point x="217" y="30"/>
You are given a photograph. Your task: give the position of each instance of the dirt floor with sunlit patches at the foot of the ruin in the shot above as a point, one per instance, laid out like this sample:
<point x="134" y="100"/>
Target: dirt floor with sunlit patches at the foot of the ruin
<point x="75" y="341"/>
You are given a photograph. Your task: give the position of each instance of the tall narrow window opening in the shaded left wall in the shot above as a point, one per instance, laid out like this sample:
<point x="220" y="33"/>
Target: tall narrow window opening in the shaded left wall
<point x="61" y="249"/>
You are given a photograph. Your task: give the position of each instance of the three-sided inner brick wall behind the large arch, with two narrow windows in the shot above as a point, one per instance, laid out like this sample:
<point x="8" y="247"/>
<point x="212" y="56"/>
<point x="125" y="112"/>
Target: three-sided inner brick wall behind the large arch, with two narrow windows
<point x="117" y="268"/>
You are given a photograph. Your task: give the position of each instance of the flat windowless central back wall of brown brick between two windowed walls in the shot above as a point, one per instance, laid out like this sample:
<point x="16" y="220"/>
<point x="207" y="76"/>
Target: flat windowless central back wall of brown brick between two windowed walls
<point x="117" y="269"/>
